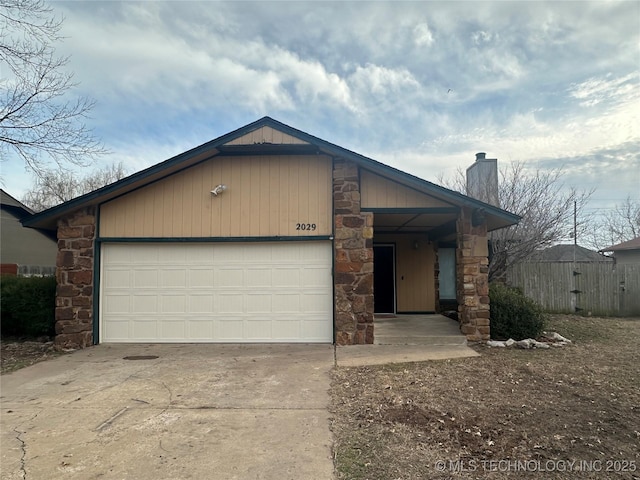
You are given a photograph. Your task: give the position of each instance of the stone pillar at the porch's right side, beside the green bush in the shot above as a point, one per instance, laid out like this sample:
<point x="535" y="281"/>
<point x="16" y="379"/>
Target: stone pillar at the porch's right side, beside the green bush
<point x="472" y="271"/>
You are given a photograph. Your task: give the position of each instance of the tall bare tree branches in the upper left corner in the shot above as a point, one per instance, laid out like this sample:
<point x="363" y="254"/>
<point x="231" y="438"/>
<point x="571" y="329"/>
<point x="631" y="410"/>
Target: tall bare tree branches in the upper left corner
<point x="38" y="120"/>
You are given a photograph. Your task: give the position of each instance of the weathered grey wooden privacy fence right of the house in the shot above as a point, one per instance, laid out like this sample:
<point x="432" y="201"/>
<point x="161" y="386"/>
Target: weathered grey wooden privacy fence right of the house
<point x="595" y="288"/>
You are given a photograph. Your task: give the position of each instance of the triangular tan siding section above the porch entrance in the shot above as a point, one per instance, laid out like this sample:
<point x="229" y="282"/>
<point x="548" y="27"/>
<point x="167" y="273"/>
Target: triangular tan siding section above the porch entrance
<point x="379" y="192"/>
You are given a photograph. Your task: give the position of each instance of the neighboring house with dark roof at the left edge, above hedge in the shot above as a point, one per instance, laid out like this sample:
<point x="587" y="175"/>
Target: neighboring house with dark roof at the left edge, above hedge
<point x="24" y="250"/>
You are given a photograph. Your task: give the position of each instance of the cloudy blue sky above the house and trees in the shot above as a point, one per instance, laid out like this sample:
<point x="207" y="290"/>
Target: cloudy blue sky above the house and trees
<point x="420" y="86"/>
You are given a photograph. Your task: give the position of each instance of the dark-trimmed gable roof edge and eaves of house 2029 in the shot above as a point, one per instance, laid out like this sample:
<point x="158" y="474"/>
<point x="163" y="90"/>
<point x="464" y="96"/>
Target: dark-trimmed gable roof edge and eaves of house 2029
<point x="225" y="145"/>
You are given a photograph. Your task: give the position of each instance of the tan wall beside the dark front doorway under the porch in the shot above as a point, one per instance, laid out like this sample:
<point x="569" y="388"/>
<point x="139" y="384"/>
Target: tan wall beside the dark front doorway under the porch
<point x="415" y="275"/>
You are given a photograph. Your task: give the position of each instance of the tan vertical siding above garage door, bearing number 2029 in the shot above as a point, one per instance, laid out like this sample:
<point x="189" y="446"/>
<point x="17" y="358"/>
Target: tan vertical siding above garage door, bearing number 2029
<point x="266" y="196"/>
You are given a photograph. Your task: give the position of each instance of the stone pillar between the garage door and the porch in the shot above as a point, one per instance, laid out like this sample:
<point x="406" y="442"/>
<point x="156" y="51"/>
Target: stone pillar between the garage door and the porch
<point x="353" y="275"/>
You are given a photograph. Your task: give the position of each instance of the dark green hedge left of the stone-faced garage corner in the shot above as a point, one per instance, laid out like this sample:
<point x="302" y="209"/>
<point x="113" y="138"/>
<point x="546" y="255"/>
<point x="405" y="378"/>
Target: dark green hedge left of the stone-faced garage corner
<point x="27" y="306"/>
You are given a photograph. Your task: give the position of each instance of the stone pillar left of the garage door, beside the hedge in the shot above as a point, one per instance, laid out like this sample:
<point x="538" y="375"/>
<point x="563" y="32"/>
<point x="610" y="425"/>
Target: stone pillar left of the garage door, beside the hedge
<point x="74" y="275"/>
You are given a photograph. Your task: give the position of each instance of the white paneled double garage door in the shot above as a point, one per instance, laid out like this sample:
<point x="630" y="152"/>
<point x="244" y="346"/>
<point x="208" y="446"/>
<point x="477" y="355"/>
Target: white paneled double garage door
<point x="220" y="292"/>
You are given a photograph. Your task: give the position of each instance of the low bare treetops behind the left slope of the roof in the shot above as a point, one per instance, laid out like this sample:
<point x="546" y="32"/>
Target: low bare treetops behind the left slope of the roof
<point x="53" y="187"/>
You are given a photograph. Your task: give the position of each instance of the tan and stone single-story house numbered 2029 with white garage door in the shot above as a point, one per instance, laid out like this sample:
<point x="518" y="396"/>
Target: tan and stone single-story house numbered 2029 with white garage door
<point x="266" y="234"/>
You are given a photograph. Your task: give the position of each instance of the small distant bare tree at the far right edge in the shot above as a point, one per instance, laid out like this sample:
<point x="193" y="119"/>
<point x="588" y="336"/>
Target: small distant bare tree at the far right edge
<point x="618" y="225"/>
